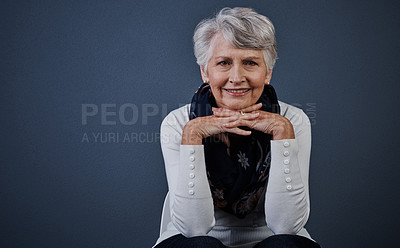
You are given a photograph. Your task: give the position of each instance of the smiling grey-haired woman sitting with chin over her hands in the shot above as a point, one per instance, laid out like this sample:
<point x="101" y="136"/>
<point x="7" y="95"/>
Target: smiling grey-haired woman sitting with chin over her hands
<point x="236" y="158"/>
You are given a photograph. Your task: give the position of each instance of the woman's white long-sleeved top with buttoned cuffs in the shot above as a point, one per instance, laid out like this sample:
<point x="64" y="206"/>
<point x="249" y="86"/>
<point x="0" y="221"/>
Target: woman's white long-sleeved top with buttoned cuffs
<point x="285" y="210"/>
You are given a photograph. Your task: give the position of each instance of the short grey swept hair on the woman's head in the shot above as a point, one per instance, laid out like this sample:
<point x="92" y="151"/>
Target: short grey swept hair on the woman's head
<point x="243" y="28"/>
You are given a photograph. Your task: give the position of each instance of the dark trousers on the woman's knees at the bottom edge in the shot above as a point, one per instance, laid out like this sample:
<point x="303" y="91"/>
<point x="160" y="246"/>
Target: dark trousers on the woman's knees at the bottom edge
<point x="276" y="241"/>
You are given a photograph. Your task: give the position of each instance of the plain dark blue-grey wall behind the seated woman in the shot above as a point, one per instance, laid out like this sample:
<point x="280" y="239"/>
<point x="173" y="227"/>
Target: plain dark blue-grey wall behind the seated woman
<point x="337" y="61"/>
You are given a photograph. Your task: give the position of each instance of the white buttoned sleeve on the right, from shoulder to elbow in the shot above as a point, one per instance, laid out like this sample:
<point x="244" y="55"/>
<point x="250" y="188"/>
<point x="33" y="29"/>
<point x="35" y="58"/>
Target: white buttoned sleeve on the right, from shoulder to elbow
<point x="287" y="204"/>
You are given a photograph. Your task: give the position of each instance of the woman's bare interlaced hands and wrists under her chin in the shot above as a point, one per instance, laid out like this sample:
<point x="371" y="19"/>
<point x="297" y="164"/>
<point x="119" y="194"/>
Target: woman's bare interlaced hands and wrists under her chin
<point x="228" y="121"/>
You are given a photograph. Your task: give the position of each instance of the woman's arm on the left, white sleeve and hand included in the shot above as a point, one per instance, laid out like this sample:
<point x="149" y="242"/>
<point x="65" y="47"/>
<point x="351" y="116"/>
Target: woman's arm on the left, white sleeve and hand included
<point x="192" y="208"/>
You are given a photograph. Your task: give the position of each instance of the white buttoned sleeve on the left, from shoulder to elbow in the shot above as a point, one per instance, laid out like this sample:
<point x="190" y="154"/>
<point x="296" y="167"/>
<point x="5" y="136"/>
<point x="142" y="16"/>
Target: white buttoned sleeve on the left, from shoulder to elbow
<point x="191" y="204"/>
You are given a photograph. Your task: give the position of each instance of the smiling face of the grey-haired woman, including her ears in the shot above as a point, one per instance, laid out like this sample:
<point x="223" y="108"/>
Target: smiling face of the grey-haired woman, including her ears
<point x="236" y="76"/>
